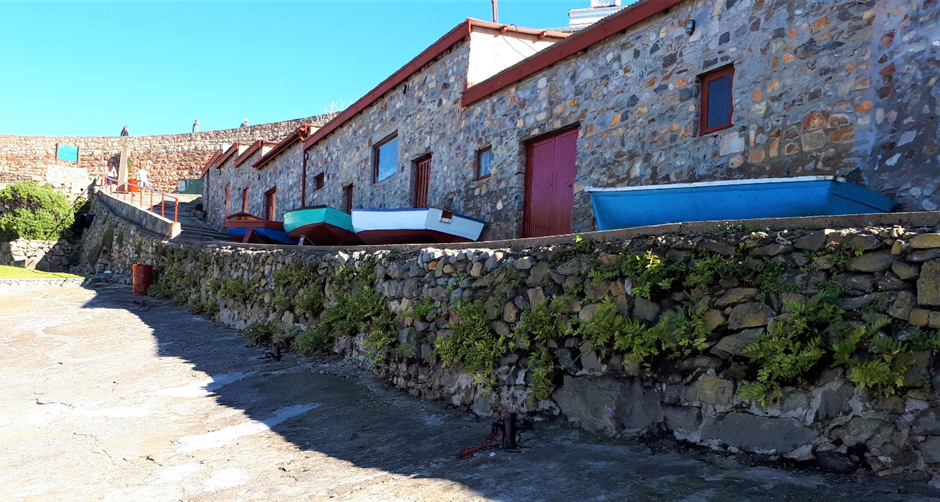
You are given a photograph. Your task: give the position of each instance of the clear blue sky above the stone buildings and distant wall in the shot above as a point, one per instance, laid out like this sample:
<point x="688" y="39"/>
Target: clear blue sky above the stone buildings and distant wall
<point x="89" y="68"/>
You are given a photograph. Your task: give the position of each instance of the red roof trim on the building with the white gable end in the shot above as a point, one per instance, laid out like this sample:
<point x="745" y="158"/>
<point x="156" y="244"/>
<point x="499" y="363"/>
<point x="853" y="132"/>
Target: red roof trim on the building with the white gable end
<point x="454" y="36"/>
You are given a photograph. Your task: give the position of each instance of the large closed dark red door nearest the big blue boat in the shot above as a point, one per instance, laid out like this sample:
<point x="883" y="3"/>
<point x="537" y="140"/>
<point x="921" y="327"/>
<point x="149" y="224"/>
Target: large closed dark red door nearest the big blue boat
<point x="549" y="184"/>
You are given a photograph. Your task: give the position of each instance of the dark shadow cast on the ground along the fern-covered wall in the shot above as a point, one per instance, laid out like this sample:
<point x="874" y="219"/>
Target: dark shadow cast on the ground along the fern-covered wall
<point x="324" y="406"/>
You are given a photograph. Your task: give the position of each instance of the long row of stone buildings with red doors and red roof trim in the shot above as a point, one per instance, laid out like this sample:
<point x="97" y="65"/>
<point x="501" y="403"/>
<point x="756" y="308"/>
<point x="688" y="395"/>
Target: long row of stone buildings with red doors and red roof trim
<point x="663" y="91"/>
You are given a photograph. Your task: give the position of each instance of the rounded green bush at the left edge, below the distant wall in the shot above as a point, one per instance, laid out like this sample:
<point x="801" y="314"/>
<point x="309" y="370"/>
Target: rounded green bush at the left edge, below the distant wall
<point x="34" y="212"/>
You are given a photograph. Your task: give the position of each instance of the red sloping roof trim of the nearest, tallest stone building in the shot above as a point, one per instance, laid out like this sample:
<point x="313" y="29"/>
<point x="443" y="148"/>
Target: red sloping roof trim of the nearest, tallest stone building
<point x="580" y="41"/>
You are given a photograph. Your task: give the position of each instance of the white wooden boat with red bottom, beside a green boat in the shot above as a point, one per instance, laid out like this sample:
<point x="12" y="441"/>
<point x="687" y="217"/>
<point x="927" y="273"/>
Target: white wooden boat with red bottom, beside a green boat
<point x="414" y="226"/>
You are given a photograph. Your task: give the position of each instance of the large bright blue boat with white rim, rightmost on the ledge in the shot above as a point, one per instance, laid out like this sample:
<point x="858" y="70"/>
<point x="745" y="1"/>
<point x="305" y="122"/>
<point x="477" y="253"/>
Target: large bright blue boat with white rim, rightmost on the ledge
<point x="626" y="207"/>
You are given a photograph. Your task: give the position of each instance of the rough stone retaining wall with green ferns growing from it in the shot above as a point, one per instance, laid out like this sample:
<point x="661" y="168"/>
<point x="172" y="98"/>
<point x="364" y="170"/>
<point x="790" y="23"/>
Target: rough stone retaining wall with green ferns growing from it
<point x="881" y="267"/>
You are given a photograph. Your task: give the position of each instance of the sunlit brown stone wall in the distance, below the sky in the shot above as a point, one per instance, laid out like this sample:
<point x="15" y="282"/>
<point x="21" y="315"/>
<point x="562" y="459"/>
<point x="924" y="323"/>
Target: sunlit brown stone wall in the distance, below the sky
<point x="169" y="157"/>
